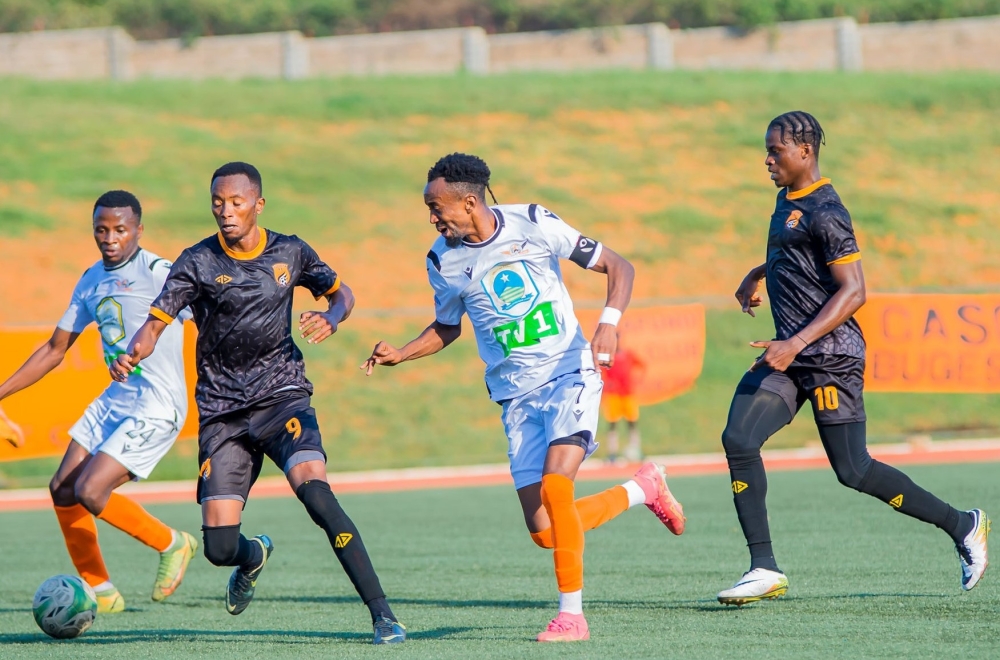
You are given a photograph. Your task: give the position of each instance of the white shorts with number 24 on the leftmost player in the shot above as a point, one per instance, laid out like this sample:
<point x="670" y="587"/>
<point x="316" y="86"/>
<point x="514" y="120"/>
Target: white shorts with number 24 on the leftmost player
<point x="137" y="435"/>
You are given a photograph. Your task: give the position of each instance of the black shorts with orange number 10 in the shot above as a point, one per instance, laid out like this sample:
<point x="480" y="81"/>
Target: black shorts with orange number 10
<point x="834" y="384"/>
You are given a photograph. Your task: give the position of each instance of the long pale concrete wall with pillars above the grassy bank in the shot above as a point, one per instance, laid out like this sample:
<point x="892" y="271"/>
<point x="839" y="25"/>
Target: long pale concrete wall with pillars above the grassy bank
<point x="832" y="44"/>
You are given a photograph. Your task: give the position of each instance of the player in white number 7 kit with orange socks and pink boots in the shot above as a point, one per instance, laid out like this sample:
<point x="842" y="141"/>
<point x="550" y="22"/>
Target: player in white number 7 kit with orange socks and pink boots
<point x="500" y="266"/>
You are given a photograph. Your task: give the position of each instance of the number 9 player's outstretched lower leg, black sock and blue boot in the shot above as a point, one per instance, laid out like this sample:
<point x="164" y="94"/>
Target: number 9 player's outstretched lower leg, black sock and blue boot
<point x="308" y="480"/>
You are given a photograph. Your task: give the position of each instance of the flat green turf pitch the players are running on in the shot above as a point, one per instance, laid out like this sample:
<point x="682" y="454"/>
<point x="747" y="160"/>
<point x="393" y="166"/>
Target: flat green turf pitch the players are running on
<point x="468" y="582"/>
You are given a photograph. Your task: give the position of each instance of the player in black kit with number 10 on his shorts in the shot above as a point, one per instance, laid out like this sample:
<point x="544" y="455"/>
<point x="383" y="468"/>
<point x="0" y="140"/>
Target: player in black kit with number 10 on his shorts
<point x="815" y="285"/>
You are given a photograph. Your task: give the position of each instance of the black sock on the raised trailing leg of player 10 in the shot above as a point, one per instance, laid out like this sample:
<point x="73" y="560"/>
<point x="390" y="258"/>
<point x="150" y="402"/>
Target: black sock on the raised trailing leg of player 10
<point x="898" y="491"/>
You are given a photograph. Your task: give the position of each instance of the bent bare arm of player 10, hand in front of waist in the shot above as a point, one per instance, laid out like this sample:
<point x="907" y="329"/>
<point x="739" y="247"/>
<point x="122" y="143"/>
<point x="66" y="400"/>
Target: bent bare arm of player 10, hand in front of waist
<point x="841" y="306"/>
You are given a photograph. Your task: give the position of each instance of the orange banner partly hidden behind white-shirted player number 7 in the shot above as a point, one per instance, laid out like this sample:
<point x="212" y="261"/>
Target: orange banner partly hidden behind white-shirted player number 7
<point x="671" y="342"/>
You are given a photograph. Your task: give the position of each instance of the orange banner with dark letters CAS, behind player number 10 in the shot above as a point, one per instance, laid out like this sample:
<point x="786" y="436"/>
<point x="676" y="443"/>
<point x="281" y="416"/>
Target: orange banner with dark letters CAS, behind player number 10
<point x="932" y="342"/>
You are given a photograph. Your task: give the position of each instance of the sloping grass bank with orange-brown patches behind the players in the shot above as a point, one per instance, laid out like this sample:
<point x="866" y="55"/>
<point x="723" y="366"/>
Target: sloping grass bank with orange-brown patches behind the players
<point x="665" y="168"/>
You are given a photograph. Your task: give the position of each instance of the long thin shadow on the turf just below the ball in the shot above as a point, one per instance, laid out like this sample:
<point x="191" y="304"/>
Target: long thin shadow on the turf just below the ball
<point x="177" y="635"/>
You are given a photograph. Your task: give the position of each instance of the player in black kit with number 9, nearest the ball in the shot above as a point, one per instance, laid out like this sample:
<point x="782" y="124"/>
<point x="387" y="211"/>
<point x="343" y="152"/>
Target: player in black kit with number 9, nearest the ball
<point x="252" y="393"/>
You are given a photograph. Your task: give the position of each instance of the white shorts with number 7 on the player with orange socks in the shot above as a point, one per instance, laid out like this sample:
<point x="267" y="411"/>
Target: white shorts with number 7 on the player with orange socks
<point x="566" y="406"/>
